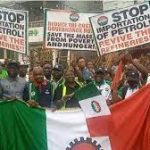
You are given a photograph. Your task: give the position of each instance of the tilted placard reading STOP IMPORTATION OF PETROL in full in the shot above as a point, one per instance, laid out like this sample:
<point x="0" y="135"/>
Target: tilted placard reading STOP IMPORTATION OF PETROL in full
<point x="121" y="29"/>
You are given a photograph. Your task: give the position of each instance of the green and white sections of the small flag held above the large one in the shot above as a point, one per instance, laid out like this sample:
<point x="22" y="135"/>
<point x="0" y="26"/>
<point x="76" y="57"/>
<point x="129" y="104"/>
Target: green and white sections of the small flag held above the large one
<point x="92" y="102"/>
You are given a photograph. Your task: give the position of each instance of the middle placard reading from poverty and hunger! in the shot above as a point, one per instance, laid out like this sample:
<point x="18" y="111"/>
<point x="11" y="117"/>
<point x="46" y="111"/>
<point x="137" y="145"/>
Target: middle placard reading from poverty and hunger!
<point x="68" y="30"/>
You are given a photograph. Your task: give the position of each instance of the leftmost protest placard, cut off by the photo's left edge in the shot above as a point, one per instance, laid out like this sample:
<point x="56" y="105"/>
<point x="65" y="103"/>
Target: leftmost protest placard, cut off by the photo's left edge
<point x="13" y="30"/>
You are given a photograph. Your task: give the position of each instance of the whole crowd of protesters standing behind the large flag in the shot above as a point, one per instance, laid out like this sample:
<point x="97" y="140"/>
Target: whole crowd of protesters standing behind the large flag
<point x="54" y="87"/>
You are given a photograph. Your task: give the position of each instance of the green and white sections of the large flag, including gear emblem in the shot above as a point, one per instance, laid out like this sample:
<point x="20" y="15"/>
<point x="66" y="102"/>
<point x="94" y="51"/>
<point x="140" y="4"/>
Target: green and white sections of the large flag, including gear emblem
<point x="25" y="128"/>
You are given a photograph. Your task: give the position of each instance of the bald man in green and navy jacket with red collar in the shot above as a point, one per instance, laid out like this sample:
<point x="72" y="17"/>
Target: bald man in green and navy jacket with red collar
<point x="38" y="91"/>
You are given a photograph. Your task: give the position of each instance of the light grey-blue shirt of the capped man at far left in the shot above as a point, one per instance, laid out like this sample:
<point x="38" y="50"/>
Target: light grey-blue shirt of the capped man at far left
<point x="12" y="88"/>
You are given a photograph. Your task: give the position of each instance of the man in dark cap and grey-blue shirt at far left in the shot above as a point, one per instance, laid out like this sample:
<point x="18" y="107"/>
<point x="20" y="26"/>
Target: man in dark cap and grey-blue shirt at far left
<point x="12" y="87"/>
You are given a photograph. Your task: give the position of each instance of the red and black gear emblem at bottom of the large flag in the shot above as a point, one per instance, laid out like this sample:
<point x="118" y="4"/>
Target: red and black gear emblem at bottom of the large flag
<point x="84" y="143"/>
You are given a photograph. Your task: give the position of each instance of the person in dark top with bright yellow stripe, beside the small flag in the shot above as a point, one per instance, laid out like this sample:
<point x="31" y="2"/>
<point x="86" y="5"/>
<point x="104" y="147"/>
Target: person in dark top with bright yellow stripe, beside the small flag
<point x="64" y="92"/>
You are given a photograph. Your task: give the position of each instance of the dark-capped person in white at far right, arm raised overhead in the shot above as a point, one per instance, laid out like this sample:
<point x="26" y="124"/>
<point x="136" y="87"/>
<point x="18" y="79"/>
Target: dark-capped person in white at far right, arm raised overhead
<point x="134" y="75"/>
